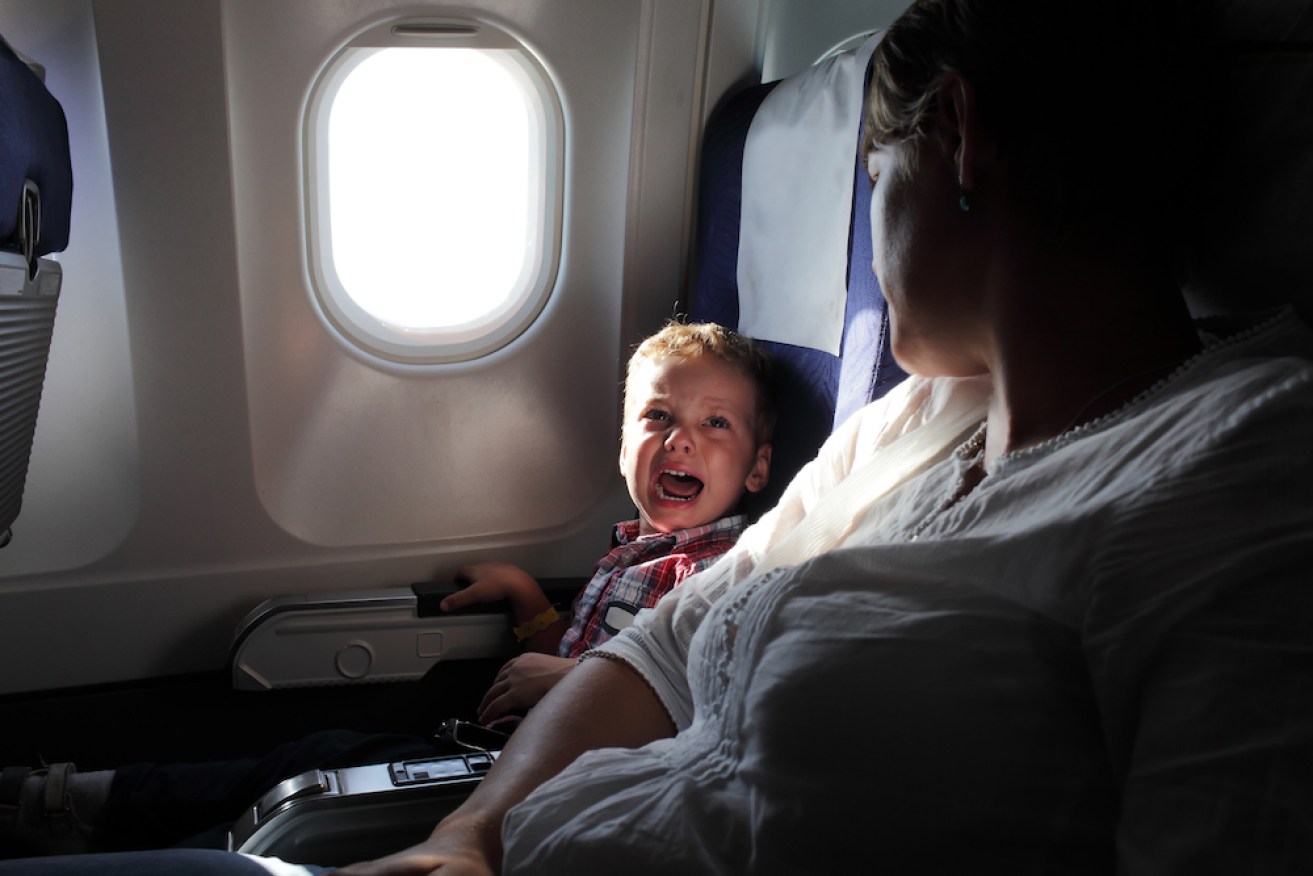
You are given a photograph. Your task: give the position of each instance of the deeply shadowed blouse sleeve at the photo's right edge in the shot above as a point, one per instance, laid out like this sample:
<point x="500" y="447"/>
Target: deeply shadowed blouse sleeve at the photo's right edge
<point x="1201" y="648"/>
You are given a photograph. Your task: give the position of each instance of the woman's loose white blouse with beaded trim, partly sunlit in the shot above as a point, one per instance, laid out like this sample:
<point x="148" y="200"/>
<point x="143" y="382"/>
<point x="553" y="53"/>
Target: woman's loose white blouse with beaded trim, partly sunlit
<point x="1101" y="660"/>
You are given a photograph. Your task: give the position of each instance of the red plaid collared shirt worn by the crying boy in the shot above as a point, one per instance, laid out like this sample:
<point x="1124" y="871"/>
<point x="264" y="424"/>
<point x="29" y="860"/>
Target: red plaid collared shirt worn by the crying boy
<point x="637" y="573"/>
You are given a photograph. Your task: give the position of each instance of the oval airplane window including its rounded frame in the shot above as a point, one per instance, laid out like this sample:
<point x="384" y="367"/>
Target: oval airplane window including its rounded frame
<point x="434" y="207"/>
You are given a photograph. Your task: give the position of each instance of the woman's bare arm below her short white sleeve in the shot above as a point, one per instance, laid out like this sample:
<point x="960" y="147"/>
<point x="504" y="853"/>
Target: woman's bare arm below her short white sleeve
<point x="602" y="703"/>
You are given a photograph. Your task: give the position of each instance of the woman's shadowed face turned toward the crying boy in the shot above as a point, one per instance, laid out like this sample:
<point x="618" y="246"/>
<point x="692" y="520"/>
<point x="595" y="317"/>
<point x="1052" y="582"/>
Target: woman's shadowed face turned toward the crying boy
<point x="916" y="237"/>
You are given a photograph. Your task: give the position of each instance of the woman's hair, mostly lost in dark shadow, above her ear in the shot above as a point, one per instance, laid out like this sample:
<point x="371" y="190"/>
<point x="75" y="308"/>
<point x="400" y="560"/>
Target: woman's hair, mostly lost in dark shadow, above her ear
<point x="1087" y="100"/>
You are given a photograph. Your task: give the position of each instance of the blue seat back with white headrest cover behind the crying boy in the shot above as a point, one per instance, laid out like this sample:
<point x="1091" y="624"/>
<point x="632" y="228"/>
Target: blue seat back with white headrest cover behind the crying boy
<point x="777" y="248"/>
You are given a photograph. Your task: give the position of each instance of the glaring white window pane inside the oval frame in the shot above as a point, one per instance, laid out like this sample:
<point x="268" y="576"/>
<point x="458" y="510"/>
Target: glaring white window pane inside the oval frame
<point x="429" y="167"/>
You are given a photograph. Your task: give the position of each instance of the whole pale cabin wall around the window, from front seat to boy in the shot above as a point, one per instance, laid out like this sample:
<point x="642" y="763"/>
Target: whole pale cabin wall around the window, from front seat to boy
<point x="213" y="380"/>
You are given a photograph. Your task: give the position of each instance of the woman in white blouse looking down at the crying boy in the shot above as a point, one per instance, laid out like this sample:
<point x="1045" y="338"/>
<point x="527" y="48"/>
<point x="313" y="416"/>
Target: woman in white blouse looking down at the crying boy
<point x="1039" y="610"/>
